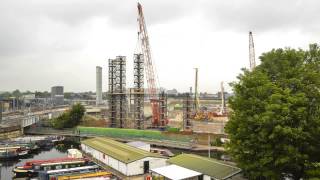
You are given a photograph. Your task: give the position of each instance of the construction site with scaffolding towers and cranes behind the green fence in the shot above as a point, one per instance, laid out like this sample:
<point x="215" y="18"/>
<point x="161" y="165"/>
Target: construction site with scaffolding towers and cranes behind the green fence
<point x="147" y="106"/>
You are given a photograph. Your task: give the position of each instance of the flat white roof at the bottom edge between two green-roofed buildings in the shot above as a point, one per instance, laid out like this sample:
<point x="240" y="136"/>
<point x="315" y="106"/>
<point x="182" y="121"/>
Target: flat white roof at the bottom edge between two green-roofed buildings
<point x="175" y="172"/>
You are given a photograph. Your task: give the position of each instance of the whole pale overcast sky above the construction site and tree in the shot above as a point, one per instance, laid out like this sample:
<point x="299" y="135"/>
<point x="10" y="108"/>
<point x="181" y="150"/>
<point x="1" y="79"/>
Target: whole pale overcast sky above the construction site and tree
<point x="60" y="42"/>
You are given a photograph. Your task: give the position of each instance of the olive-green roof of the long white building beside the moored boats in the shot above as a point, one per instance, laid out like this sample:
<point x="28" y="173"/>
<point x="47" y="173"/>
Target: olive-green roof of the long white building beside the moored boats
<point x="118" y="150"/>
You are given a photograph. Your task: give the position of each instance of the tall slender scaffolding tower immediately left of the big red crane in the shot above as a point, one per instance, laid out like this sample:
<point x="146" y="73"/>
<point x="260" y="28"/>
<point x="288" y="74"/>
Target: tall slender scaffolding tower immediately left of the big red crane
<point x="138" y="91"/>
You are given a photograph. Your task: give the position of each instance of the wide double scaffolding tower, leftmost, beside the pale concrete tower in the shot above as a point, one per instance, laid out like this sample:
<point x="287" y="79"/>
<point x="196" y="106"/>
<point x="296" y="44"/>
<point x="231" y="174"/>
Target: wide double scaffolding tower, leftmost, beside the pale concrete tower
<point x="117" y="92"/>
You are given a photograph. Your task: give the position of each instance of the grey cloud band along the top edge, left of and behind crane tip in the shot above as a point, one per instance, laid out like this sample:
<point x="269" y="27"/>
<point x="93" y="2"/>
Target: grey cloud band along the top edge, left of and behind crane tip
<point x="119" y="13"/>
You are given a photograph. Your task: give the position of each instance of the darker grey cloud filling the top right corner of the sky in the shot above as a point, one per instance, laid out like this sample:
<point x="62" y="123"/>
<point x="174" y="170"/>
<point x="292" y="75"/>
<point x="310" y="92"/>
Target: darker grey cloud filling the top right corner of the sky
<point x="264" y="16"/>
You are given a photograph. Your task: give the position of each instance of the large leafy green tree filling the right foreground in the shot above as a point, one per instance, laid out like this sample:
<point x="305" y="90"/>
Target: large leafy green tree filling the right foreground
<point x="274" y="125"/>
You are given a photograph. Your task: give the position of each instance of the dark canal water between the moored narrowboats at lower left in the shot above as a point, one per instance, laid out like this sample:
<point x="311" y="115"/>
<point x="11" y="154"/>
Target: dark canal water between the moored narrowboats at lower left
<point x="57" y="151"/>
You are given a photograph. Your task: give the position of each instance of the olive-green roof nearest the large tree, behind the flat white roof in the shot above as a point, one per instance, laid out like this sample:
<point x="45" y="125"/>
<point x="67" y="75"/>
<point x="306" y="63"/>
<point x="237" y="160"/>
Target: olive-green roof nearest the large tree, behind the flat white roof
<point x="207" y="166"/>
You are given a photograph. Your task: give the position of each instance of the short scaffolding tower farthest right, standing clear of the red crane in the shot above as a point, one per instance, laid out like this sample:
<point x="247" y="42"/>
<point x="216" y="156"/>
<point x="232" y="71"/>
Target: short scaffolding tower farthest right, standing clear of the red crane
<point x="187" y="112"/>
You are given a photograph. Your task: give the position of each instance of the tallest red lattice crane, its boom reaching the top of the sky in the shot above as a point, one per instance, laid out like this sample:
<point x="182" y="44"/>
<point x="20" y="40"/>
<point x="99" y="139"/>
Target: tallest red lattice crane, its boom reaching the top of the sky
<point x="151" y="74"/>
